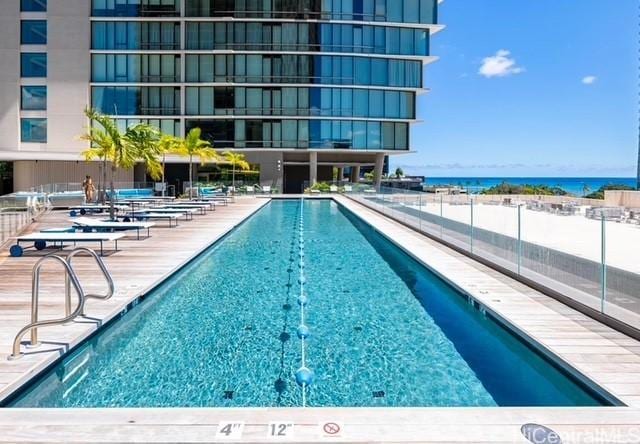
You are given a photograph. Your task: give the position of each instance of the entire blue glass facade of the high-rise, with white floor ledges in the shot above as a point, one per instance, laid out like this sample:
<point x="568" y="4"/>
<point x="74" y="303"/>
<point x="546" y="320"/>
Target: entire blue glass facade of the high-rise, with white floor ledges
<point x="282" y="74"/>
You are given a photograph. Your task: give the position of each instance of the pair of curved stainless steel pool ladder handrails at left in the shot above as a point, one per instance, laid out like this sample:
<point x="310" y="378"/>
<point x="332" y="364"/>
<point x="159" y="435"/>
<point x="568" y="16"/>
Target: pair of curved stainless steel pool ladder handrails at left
<point x="71" y="279"/>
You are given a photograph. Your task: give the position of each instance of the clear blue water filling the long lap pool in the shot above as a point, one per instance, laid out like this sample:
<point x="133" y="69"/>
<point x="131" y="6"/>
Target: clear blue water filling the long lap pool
<point x="384" y="331"/>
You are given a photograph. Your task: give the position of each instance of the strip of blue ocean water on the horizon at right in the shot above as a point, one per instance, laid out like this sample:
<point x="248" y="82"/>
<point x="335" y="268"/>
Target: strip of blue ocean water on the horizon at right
<point x="573" y="185"/>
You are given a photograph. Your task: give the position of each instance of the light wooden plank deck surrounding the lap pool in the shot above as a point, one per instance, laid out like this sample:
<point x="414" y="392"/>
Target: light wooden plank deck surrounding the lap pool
<point x="603" y="355"/>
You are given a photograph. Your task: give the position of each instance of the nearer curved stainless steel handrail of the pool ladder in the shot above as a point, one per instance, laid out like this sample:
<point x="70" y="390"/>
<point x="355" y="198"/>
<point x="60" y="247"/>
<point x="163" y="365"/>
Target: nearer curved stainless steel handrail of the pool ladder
<point x="35" y="292"/>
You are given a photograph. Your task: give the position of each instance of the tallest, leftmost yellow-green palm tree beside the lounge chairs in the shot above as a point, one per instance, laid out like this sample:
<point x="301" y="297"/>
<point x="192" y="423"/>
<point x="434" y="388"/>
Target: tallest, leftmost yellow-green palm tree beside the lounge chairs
<point x="122" y="150"/>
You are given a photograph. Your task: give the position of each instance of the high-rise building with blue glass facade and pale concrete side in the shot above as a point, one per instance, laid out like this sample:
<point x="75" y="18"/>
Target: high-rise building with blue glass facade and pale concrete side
<point x="299" y="86"/>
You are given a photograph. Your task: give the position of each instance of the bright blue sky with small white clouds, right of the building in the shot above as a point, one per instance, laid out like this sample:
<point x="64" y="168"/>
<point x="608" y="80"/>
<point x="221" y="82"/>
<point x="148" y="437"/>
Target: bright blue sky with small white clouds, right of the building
<point x="530" y="88"/>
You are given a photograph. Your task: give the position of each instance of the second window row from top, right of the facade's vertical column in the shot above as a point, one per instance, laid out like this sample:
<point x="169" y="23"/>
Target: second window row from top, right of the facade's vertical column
<point x="318" y="37"/>
